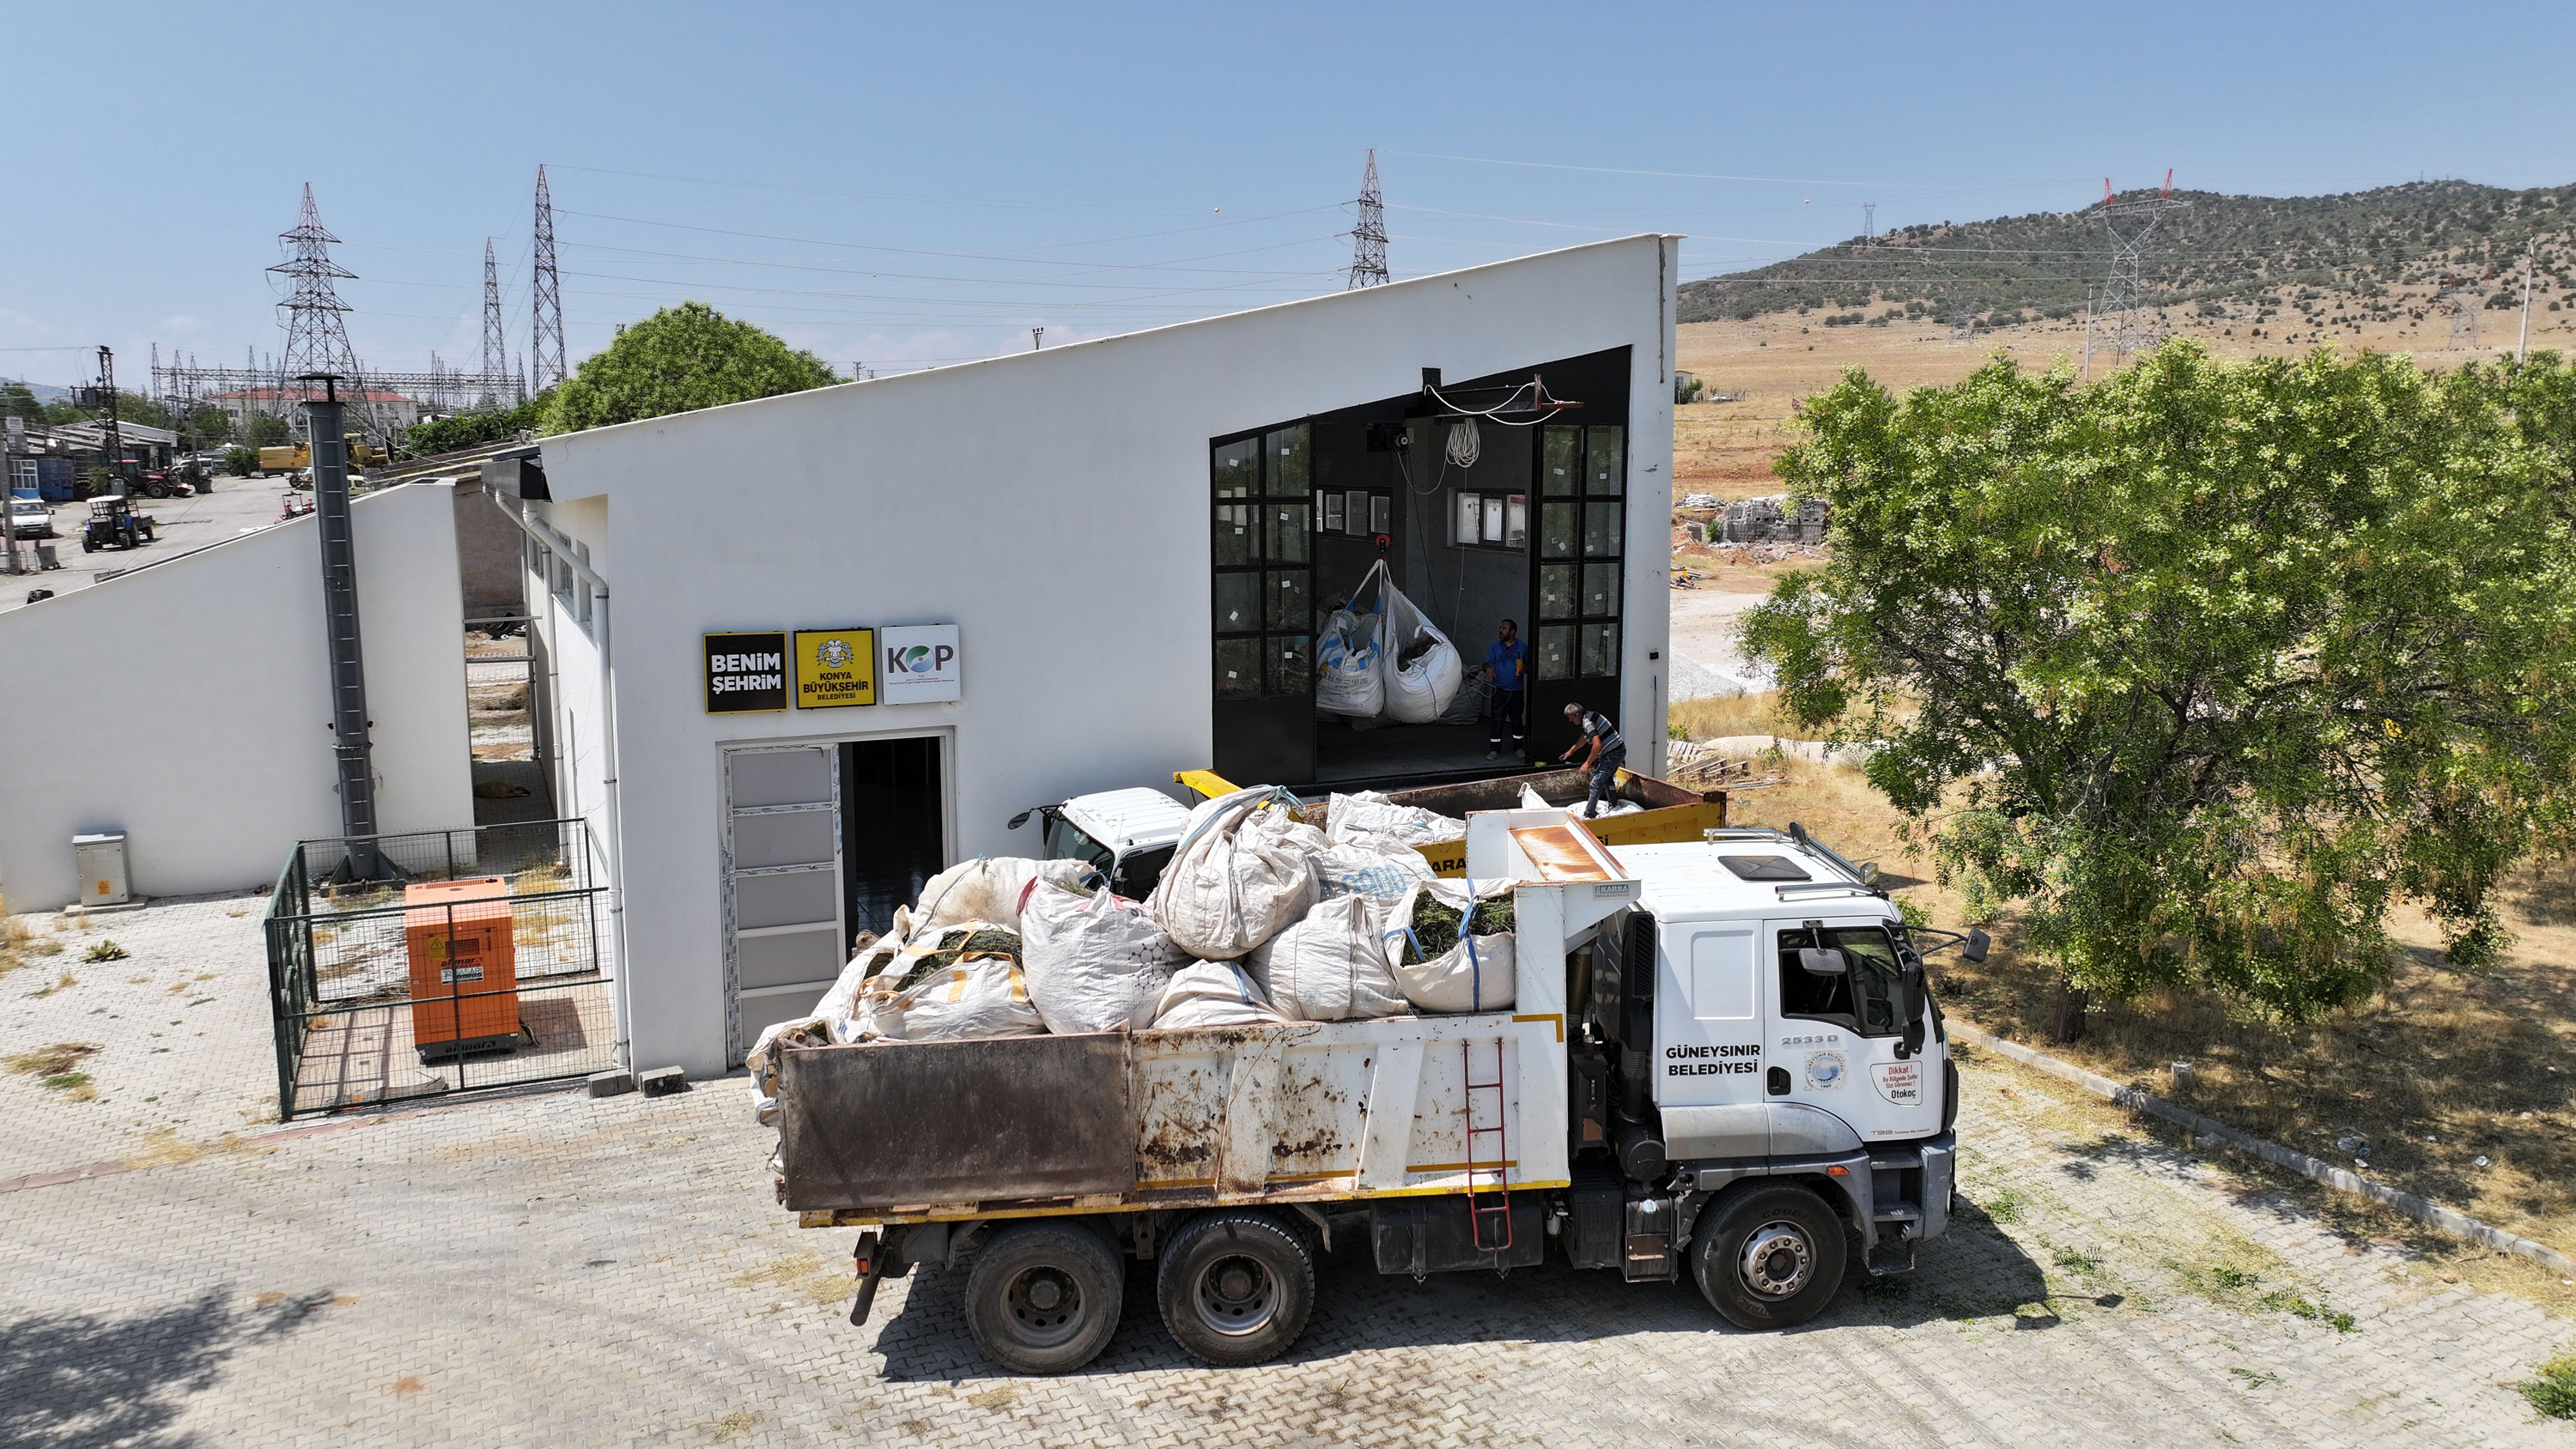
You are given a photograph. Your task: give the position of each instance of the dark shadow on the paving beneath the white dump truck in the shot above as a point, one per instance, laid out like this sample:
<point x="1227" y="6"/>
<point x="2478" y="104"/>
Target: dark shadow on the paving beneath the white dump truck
<point x="1972" y="1273"/>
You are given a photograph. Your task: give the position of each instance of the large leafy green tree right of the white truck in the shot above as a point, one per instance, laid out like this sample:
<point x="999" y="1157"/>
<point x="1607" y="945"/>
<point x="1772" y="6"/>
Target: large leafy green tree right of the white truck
<point x="2209" y="663"/>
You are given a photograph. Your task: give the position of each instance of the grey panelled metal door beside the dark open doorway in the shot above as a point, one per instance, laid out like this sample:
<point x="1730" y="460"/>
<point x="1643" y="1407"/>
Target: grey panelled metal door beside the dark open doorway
<point x="782" y="887"/>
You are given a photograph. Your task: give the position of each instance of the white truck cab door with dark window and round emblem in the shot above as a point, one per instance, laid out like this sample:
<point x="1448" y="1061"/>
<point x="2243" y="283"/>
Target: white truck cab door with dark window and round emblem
<point x="1838" y="1038"/>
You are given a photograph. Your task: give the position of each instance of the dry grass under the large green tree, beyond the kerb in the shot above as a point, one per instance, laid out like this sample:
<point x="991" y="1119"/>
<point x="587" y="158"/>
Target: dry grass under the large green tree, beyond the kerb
<point x="2441" y="1069"/>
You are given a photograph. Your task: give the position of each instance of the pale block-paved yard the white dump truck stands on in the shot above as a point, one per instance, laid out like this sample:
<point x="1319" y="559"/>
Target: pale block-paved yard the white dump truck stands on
<point x="558" y="1270"/>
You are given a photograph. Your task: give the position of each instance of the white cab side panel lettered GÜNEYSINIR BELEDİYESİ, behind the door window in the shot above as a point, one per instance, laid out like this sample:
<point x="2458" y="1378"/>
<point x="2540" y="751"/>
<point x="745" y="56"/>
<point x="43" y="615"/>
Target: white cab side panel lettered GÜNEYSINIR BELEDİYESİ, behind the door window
<point x="1709" y="1018"/>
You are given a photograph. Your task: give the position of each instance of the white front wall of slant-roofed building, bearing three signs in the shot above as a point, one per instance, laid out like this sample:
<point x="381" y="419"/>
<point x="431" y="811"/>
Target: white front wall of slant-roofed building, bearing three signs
<point x="1055" y="506"/>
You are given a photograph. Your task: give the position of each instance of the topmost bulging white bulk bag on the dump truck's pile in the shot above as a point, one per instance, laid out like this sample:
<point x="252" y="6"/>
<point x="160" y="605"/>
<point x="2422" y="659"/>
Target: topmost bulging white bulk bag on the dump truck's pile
<point x="1243" y="871"/>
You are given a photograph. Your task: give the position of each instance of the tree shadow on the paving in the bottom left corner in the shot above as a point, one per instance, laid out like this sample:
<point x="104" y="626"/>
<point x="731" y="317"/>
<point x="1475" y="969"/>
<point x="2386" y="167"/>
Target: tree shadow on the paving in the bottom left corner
<point x="86" y="1381"/>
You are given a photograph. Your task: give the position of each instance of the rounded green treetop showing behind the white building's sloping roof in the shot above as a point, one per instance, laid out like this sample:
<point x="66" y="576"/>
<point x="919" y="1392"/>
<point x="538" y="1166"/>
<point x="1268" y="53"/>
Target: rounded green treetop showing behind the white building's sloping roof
<point x="681" y="359"/>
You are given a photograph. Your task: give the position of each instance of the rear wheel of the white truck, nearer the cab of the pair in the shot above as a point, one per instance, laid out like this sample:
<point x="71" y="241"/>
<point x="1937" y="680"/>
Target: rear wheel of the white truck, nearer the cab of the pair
<point x="1235" y="1288"/>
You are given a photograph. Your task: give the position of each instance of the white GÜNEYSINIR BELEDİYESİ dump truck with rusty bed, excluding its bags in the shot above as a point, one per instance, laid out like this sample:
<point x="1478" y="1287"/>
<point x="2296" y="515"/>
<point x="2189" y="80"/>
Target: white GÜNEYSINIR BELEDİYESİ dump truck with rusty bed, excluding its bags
<point x="1722" y="1064"/>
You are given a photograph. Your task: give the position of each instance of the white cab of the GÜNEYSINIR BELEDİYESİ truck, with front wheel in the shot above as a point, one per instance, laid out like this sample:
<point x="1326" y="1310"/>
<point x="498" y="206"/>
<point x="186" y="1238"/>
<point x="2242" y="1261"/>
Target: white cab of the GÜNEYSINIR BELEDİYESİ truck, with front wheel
<point x="1761" y="1020"/>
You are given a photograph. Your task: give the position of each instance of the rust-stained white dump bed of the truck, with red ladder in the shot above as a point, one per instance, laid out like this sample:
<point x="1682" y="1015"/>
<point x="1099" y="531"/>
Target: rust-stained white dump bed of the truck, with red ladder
<point x="1197" y="1118"/>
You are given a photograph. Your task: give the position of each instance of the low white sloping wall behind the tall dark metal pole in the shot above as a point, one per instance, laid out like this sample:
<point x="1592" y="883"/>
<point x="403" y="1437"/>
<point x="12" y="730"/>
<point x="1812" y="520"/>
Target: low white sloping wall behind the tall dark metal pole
<point x="189" y="706"/>
